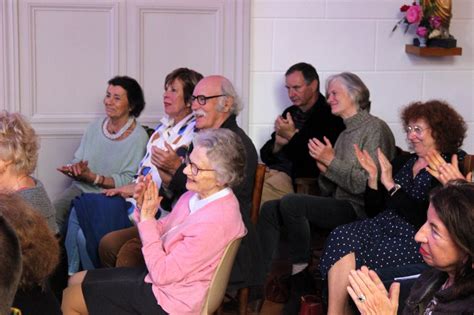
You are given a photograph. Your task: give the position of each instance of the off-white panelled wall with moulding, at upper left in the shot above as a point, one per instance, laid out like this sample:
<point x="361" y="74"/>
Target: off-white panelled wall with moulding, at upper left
<point x="57" y="55"/>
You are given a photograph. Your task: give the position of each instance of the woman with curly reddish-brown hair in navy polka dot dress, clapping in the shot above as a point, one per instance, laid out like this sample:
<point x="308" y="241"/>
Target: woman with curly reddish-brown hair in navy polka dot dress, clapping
<point x="396" y="203"/>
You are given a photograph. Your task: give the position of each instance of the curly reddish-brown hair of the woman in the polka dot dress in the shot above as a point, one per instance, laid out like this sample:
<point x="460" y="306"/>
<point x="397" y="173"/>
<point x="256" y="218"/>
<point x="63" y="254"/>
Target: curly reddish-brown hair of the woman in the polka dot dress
<point x="448" y="128"/>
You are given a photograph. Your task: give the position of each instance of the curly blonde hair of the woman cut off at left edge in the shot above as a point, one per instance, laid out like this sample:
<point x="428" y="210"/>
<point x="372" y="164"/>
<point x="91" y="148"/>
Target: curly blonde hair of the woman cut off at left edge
<point x="18" y="142"/>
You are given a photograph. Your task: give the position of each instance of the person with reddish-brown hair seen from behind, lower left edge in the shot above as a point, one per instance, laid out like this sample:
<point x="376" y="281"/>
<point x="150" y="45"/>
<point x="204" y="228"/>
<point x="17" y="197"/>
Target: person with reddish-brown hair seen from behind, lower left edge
<point x="40" y="256"/>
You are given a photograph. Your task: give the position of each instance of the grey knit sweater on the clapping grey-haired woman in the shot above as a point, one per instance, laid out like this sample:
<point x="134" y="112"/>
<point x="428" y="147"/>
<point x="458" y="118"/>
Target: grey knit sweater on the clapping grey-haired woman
<point x="345" y="179"/>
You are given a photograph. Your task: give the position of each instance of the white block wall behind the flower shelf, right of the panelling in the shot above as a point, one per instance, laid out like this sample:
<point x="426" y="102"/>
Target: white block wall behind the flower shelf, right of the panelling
<point x="355" y="35"/>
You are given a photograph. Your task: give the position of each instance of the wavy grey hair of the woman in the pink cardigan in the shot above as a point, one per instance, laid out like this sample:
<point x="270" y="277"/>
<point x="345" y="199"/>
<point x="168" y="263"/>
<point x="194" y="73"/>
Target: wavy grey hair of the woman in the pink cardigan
<point x="225" y="152"/>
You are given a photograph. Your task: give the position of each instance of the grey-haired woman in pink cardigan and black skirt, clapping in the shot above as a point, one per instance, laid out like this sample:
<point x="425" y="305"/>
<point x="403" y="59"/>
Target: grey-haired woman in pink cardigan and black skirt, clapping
<point x="183" y="249"/>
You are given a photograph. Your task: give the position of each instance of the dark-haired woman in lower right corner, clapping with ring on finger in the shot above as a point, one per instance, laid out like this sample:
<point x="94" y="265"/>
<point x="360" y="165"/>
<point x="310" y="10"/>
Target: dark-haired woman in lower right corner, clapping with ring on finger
<point x="446" y="244"/>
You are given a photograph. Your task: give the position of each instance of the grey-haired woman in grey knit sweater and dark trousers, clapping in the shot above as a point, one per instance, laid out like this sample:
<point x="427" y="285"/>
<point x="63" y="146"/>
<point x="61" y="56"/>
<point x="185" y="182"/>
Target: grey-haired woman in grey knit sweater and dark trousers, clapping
<point x="342" y="180"/>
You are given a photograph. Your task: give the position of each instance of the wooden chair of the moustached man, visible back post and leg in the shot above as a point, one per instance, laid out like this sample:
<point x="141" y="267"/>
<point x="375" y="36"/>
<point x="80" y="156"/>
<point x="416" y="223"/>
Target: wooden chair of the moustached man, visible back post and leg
<point x="243" y="293"/>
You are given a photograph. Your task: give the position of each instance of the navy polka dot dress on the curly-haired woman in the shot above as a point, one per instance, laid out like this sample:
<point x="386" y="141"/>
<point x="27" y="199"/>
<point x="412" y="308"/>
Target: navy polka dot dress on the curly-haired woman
<point x="386" y="240"/>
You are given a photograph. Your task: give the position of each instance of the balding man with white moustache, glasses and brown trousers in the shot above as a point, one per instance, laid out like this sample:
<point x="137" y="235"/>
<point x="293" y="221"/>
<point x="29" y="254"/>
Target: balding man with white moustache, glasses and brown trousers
<point x="215" y="105"/>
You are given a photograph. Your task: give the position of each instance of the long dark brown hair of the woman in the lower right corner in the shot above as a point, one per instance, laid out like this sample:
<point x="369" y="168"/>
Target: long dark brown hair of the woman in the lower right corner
<point x="454" y="204"/>
